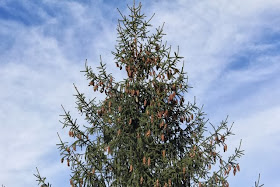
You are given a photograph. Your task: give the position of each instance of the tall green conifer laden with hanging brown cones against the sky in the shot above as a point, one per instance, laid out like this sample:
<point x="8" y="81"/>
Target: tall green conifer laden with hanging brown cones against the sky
<point x="144" y="133"/>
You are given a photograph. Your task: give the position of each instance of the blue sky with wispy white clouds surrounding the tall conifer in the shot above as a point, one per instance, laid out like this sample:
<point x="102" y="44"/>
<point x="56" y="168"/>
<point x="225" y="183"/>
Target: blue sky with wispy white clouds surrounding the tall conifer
<point x="231" y="51"/>
